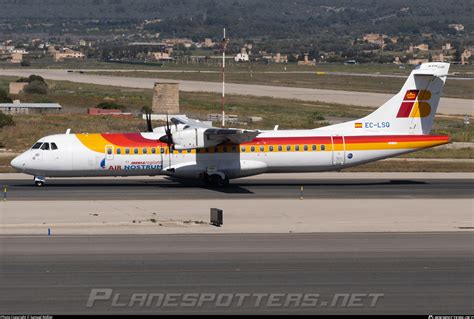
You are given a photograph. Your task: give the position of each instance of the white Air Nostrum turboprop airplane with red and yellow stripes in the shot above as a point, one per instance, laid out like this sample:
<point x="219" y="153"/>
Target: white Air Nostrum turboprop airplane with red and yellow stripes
<point x="190" y="149"/>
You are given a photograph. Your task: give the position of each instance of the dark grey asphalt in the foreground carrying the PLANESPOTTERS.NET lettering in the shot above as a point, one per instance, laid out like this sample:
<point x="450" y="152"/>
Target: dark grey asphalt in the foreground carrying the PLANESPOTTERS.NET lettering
<point x="417" y="273"/>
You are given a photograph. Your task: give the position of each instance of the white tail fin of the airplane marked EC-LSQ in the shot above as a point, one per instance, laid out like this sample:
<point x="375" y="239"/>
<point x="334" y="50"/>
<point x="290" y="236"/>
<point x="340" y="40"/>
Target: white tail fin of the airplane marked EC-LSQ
<point x="410" y="111"/>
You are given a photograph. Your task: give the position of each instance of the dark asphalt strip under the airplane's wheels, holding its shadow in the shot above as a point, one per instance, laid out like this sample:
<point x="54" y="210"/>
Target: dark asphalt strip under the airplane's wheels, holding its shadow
<point x="252" y="188"/>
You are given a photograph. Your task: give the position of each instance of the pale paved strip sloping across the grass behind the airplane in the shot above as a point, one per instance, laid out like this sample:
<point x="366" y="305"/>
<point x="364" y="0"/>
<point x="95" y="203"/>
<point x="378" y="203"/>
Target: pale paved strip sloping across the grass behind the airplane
<point x="446" y="105"/>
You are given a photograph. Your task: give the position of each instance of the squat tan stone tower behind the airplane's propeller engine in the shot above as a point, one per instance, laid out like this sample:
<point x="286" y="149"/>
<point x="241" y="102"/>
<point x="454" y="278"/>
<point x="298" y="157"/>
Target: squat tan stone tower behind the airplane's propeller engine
<point x="165" y="98"/>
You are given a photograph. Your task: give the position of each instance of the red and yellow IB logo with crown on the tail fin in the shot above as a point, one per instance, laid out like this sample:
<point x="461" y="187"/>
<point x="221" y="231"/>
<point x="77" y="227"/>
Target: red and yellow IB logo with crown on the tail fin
<point x="414" y="104"/>
